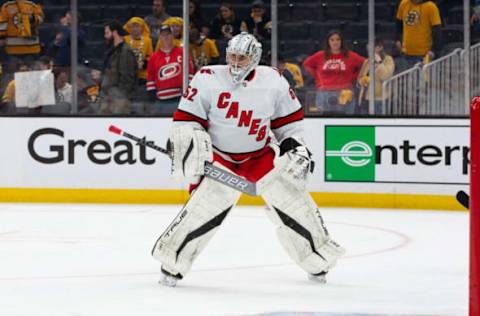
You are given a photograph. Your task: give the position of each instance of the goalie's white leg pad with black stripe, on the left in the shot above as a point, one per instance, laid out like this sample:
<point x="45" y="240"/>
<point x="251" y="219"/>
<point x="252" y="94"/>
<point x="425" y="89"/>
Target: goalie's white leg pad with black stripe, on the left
<point x="194" y="226"/>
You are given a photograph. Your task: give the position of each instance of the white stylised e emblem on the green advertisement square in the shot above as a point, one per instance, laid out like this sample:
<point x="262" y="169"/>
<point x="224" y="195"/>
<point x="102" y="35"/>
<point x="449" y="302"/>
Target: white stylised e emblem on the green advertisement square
<point x="354" y="154"/>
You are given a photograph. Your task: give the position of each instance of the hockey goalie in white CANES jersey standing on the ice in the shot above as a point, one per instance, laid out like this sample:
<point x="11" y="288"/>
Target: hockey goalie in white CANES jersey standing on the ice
<point x="245" y="118"/>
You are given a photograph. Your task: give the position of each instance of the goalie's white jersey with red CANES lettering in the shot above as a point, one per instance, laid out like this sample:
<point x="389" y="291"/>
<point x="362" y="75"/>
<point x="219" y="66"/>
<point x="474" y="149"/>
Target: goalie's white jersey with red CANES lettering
<point x="239" y="117"/>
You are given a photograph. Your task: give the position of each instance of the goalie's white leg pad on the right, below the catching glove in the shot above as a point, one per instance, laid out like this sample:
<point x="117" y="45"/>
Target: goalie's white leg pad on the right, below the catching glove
<point x="301" y="229"/>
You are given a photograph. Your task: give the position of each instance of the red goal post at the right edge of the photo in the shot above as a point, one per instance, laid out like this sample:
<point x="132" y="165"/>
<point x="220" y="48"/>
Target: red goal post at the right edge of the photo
<point x="474" y="307"/>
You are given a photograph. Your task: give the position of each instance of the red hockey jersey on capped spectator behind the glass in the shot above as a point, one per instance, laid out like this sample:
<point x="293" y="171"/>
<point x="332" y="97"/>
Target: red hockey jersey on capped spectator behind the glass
<point x="165" y="73"/>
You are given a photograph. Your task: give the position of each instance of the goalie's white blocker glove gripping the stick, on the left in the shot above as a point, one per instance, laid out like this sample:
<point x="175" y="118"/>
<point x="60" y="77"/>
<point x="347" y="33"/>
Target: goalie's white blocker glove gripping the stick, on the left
<point x="189" y="149"/>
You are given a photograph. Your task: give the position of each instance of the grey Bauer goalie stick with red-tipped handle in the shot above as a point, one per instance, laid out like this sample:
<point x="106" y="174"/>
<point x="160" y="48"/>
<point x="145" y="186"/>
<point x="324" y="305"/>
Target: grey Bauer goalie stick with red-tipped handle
<point x="218" y="174"/>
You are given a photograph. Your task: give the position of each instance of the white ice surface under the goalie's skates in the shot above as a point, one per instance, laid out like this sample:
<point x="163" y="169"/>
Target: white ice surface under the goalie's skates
<point x="80" y="260"/>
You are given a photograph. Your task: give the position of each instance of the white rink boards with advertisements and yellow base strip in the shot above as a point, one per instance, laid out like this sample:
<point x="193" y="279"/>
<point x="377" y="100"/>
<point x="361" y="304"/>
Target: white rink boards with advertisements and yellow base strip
<point x="388" y="163"/>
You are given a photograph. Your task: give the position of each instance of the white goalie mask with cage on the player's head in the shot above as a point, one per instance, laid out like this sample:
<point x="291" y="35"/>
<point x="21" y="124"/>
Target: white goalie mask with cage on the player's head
<point x="243" y="55"/>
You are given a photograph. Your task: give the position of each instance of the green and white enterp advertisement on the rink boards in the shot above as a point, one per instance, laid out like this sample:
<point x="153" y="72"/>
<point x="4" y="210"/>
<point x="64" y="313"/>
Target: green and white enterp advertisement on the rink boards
<point x="397" y="153"/>
